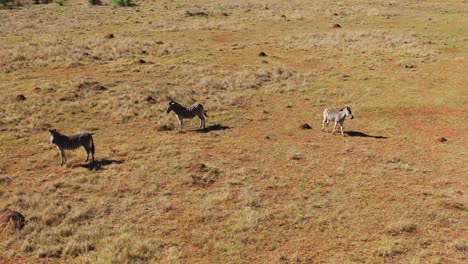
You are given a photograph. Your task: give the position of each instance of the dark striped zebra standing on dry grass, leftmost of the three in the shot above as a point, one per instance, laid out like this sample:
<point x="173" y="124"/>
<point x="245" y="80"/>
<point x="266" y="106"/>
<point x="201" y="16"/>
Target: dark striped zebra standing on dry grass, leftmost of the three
<point x="63" y="142"/>
